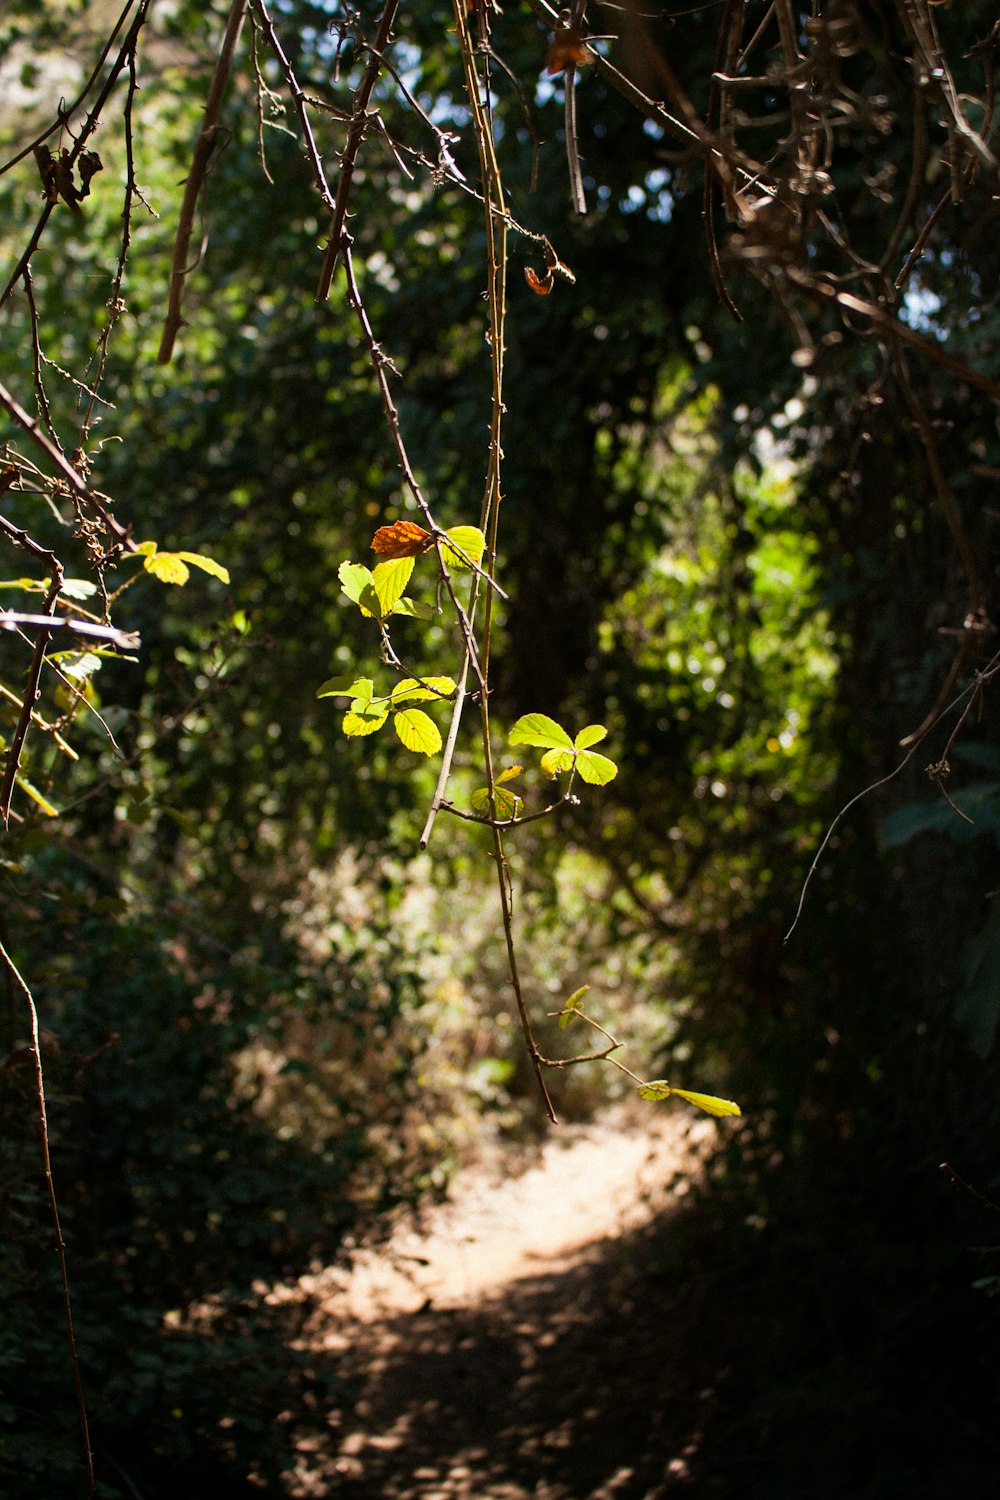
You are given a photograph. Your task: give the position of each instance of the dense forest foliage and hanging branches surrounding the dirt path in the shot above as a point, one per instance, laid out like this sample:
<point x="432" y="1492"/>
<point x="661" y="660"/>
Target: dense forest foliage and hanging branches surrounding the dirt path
<point x="708" y="451"/>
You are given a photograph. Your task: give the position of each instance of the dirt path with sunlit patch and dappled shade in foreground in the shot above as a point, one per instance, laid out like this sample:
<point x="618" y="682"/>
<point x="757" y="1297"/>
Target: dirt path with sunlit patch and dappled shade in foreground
<point x="501" y="1351"/>
